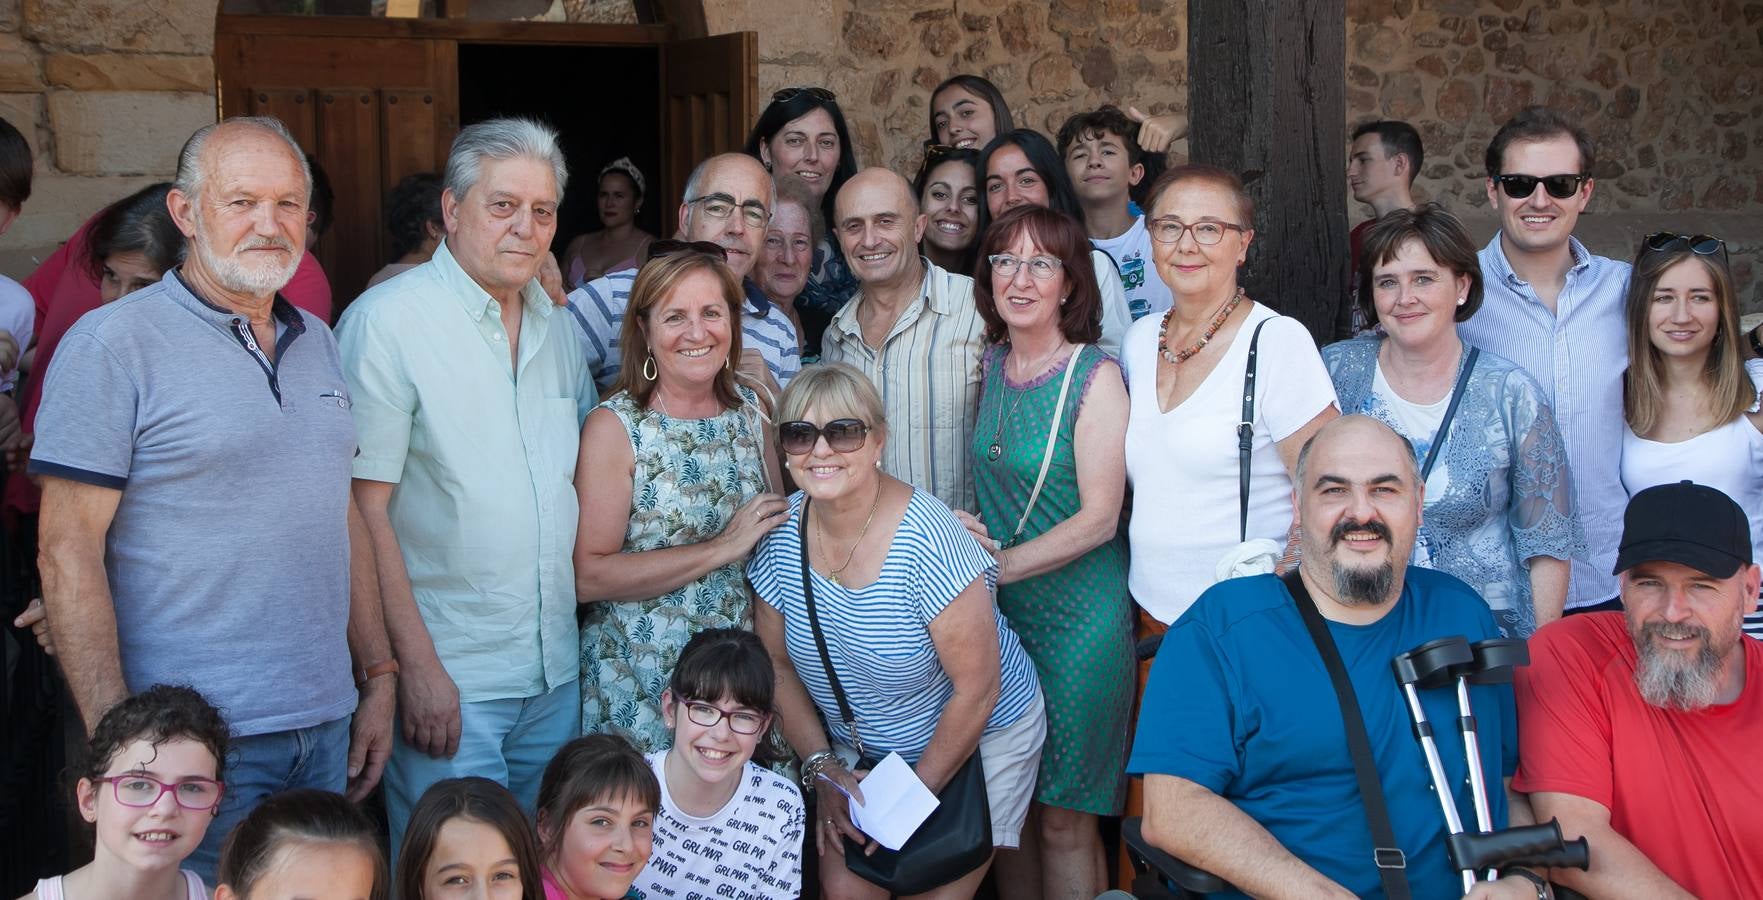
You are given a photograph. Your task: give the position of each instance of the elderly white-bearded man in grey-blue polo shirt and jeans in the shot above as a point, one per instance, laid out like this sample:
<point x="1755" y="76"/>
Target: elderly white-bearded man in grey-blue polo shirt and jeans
<point x="195" y="449"/>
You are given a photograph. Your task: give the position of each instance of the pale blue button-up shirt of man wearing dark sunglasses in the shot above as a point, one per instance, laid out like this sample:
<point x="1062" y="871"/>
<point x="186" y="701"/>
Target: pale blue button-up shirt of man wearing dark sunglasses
<point x="1577" y="356"/>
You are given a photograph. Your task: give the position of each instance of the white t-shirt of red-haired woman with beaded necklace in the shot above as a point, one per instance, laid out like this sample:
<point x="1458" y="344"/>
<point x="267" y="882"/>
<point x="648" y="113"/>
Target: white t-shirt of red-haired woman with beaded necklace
<point x="1186" y="461"/>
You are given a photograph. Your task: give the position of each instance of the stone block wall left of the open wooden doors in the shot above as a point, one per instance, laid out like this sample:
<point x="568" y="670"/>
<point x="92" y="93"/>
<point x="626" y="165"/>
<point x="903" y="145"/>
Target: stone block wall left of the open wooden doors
<point x="107" y="93"/>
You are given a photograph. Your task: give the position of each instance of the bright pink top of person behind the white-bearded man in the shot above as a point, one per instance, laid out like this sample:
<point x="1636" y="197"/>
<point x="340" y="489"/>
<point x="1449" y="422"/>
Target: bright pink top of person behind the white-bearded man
<point x="66" y="290"/>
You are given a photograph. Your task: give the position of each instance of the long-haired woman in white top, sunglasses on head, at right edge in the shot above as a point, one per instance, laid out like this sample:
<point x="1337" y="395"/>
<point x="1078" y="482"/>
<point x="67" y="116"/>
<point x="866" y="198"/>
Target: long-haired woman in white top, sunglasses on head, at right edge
<point x="1690" y="401"/>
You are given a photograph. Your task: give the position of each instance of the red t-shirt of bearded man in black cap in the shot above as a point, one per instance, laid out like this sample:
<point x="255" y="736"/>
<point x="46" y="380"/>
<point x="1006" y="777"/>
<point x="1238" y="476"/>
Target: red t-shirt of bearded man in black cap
<point x="1683" y="788"/>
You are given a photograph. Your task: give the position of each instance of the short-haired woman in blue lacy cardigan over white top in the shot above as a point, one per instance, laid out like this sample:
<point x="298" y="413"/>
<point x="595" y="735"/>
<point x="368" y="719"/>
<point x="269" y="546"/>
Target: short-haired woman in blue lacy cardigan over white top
<point x="1499" y="504"/>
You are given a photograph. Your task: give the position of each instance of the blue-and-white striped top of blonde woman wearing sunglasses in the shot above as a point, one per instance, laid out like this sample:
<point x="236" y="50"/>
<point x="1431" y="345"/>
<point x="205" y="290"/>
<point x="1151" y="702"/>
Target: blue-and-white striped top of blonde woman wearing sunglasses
<point x="879" y="636"/>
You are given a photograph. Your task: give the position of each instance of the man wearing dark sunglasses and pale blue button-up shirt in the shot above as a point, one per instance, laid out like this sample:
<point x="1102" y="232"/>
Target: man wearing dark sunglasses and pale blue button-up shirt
<point x="1556" y="310"/>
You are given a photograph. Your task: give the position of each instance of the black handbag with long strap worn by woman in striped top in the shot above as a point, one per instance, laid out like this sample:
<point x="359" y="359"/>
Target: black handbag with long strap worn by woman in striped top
<point x="955" y="841"/>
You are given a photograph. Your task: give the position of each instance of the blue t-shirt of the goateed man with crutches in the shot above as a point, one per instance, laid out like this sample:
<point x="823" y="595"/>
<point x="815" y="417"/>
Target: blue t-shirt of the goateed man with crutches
<point x="1240" y="703"/>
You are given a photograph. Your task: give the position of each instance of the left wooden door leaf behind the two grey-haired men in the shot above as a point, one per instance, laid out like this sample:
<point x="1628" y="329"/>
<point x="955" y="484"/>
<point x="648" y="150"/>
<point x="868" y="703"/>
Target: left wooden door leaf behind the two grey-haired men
<point x="371" y="110"/>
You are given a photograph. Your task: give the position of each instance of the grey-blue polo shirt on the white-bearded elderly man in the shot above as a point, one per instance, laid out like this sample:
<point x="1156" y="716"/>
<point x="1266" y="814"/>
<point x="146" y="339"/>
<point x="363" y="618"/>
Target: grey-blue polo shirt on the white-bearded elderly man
<point x="228" y="559"/>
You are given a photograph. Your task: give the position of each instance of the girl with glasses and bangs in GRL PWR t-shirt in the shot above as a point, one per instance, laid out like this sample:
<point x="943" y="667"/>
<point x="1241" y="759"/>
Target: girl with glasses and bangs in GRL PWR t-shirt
<point x="713" y="795"/>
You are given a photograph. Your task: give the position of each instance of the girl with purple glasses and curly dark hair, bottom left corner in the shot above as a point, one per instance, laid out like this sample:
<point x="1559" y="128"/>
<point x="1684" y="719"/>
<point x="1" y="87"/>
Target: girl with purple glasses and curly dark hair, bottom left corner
<point x="151" y="793"/>
